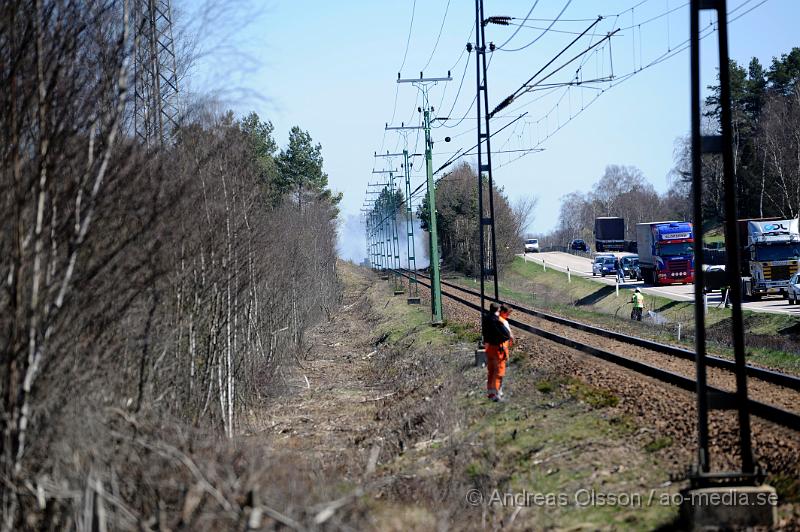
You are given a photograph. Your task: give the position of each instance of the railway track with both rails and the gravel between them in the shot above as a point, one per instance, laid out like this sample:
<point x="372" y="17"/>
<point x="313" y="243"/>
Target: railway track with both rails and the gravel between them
<point x="662" y="362"/>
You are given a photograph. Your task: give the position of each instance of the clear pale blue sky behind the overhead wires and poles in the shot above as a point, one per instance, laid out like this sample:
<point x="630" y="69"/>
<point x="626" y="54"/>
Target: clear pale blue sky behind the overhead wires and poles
<point x="331" y="68"/>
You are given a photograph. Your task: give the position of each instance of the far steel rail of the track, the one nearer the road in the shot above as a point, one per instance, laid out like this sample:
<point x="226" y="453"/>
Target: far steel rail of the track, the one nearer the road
<point x="767" y="375"/>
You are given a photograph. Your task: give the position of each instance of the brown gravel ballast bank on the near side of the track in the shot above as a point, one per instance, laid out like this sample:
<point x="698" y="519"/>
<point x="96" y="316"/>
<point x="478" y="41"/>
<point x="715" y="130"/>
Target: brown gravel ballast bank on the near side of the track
<point x="667" y="411"/>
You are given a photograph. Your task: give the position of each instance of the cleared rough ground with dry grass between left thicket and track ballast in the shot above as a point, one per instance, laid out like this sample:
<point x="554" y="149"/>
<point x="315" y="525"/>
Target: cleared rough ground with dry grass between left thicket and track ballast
<point x="383" y="425"/>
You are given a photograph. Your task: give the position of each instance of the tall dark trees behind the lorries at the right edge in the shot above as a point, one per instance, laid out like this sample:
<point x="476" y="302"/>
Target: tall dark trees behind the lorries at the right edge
<point x="766" y="141"/>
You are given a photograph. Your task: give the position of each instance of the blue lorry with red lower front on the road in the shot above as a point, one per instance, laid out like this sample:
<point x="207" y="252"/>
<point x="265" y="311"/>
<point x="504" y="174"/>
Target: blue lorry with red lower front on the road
<point x="666" y="252"/>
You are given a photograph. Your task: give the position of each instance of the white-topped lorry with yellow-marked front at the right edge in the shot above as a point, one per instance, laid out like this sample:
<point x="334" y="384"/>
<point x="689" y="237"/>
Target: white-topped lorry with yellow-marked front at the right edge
<point x="770" y="252"/>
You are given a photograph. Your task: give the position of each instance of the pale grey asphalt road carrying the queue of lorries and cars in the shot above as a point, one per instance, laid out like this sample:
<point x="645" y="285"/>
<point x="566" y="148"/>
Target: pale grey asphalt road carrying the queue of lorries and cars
<point x="582" y="266"/>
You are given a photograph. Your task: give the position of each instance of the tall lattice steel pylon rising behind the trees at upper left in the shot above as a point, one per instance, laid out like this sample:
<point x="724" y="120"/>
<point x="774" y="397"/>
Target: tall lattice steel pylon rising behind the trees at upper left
<point x="155" y="106"/>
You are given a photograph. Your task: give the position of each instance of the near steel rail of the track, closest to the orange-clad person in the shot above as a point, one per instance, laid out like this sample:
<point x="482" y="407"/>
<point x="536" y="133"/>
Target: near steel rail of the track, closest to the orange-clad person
<point x="765" y="411"/>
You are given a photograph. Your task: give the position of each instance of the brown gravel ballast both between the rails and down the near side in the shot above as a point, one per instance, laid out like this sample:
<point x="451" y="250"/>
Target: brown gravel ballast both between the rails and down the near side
<point x="670" y="411"/>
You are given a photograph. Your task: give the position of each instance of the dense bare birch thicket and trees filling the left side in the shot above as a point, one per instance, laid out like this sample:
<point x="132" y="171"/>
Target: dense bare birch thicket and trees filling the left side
<point x="150" y="294"/>
